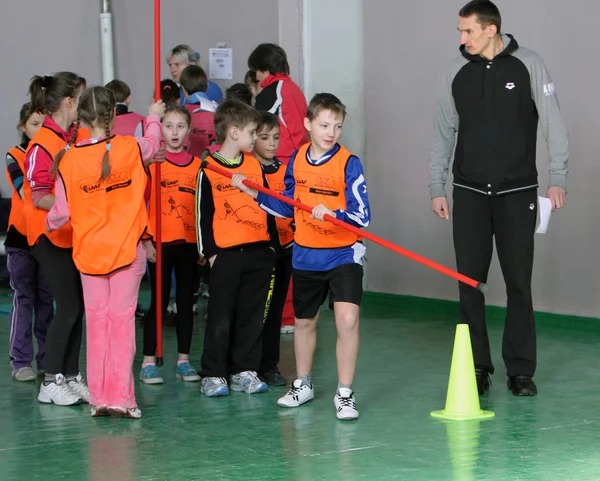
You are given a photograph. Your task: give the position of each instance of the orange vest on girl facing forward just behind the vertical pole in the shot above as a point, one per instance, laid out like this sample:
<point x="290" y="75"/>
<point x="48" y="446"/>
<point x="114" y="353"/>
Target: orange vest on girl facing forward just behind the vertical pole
<point x="178" y="200"/>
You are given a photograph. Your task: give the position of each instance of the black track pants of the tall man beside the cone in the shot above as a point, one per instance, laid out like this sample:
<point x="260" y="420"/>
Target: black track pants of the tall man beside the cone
<point x="511" y="220"/>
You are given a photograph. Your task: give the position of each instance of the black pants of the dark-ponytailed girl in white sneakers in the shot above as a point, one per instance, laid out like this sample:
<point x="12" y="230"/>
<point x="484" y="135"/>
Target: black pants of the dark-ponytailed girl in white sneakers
<point x="63" y="340"/>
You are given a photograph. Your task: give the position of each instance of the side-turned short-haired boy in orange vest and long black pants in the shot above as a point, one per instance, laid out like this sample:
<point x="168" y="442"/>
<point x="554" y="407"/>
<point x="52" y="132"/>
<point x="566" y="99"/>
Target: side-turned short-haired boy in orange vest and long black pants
<point x="239" y="240"/>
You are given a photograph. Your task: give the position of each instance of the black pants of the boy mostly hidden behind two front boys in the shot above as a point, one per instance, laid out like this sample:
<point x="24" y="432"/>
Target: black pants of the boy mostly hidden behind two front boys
<point x="272" y="328"/>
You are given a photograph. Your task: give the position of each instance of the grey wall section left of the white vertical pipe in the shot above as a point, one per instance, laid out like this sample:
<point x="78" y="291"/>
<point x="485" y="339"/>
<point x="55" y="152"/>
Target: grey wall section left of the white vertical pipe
<point x="28" y="49"/>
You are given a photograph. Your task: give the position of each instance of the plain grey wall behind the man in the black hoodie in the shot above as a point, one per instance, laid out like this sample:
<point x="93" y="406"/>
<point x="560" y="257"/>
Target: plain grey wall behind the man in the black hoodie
<point x="407" y="47"/>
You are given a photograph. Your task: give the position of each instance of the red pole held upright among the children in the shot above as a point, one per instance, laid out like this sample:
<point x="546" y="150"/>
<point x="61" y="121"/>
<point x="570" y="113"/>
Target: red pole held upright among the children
<point x="158" y="196"/>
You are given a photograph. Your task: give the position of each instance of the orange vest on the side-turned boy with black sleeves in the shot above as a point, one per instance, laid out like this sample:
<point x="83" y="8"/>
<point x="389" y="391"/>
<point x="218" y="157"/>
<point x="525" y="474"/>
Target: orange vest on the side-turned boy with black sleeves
<point x="237" y="220"/>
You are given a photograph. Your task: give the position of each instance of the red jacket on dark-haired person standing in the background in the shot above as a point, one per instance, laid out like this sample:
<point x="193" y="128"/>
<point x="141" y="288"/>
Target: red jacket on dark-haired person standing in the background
<point x="282" y="97"/>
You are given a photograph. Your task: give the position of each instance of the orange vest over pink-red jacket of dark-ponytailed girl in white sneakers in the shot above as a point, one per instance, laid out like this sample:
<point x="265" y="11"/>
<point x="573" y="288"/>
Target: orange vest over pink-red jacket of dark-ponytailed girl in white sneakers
<point x="52" y="143"/>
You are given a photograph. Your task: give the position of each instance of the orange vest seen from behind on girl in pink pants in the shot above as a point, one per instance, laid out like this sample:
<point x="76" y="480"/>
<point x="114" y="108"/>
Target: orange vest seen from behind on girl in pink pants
<point x="108" y="217"/>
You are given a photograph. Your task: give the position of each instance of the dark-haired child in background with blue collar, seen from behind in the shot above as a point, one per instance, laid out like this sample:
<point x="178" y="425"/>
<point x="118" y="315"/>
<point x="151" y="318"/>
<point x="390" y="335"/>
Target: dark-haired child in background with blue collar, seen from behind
<point x="194" y="83"/>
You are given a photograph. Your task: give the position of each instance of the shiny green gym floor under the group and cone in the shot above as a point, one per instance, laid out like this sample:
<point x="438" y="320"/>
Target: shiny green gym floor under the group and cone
<point x="402" y="375"/>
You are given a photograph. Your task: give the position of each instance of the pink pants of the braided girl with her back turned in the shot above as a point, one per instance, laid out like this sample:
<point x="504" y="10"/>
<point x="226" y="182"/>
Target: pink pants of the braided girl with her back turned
<point x="110" y="303"/>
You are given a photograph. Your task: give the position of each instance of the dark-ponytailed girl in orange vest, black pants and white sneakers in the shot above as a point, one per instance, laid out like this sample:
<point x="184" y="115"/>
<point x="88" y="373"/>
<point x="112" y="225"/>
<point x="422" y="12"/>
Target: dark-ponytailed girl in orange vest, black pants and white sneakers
<point x="58" y="97"/>
